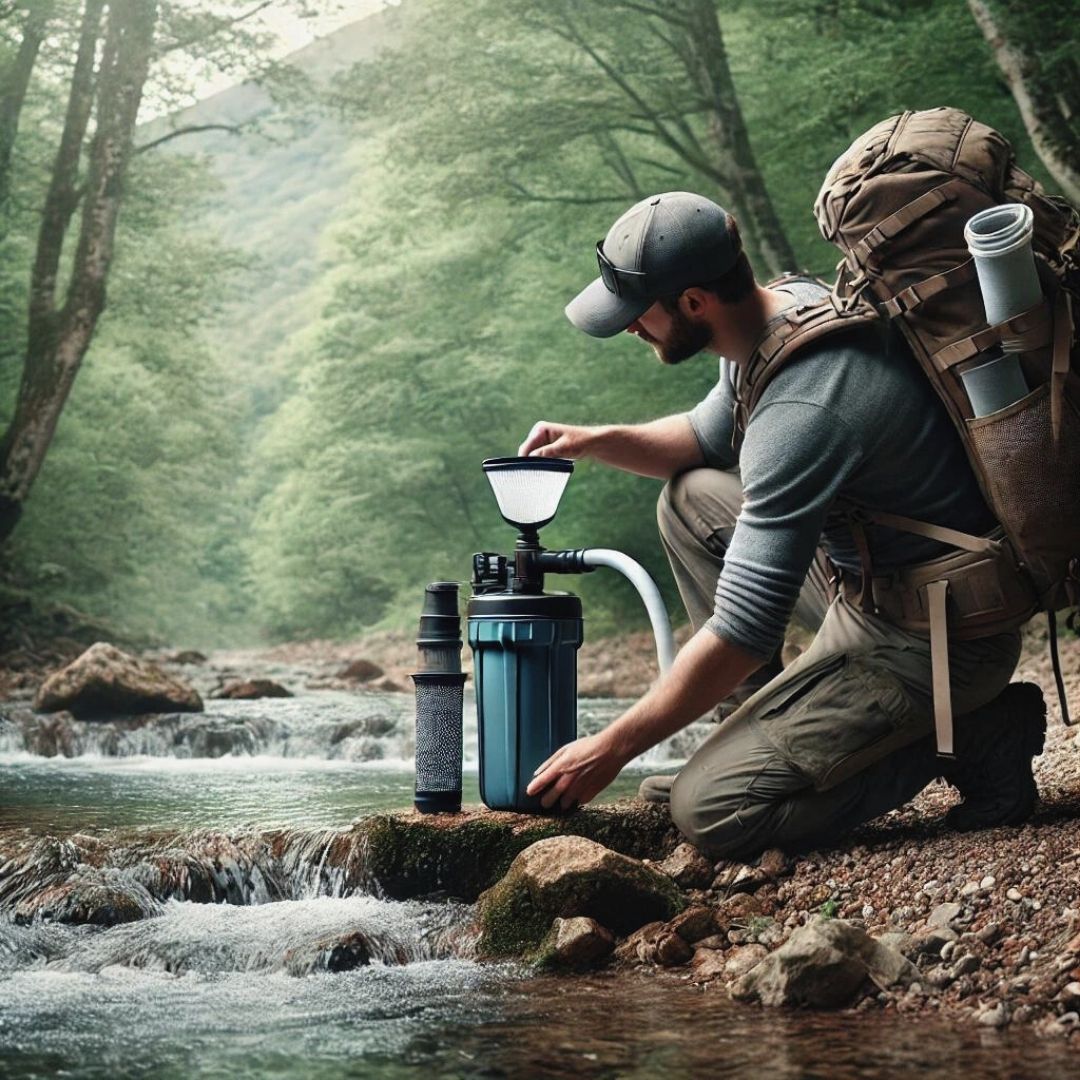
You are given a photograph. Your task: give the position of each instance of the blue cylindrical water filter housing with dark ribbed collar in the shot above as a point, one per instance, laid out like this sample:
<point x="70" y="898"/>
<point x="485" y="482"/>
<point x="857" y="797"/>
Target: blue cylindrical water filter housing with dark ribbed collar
<point x="525" y="670"/>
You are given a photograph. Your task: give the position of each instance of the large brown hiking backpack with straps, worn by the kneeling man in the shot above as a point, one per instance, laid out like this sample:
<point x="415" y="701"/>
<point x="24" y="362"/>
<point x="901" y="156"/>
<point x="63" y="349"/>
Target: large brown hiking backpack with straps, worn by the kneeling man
<point x="897" y="204"/>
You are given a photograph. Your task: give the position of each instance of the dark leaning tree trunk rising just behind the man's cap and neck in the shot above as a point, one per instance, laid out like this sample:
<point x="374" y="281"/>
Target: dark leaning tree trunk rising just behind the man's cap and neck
<point x="708" y="66"/>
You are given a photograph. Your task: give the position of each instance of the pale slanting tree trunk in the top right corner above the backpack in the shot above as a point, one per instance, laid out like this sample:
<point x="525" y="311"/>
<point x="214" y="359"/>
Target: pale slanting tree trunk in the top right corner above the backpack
<point x="1047" y="117"/>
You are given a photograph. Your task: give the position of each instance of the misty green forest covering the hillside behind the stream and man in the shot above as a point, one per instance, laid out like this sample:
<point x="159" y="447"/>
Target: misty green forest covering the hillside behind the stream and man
<point x="255" y="348"/>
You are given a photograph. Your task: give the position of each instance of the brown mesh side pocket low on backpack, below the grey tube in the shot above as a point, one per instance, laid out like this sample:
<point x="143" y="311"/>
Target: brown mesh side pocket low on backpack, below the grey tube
<point x="1034" y="485"/>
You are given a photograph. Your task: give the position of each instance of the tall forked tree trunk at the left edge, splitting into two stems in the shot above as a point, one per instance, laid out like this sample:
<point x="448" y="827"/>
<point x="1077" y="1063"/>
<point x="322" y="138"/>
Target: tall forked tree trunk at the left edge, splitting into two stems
<point x="59" y="340"/>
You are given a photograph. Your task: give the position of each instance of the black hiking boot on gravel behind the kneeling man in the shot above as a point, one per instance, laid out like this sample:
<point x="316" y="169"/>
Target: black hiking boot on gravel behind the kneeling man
<point x="993" y="771"/>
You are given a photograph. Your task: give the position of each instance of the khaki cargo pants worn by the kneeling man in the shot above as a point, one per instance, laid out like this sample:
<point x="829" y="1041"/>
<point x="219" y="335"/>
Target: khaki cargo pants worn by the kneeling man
<point x="841" y="736"/>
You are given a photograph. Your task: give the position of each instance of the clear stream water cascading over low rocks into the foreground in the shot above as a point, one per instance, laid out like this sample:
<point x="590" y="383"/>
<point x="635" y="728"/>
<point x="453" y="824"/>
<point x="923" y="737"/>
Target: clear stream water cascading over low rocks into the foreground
<point x="267" y="983"/>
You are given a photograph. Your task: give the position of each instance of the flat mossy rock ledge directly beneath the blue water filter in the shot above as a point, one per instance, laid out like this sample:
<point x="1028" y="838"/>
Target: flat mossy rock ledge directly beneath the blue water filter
<point x="411" y="855"/>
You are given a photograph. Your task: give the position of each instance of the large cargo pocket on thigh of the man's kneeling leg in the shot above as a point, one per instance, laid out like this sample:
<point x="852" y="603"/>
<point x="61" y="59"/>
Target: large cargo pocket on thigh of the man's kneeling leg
<point x="841" y="717"/>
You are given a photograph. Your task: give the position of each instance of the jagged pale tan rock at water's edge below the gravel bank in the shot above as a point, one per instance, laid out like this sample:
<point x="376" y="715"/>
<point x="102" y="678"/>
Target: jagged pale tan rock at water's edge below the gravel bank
<point x="822" y="966"/>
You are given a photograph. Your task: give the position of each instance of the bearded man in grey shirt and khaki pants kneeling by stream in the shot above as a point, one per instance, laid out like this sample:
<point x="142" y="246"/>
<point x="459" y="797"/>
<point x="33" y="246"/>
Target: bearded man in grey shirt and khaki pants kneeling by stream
<point x="844" y="734"/>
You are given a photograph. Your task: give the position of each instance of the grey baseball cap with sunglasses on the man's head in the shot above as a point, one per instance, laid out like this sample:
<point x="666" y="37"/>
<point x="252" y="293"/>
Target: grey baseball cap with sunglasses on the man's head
<point x="659" y="248"/>
